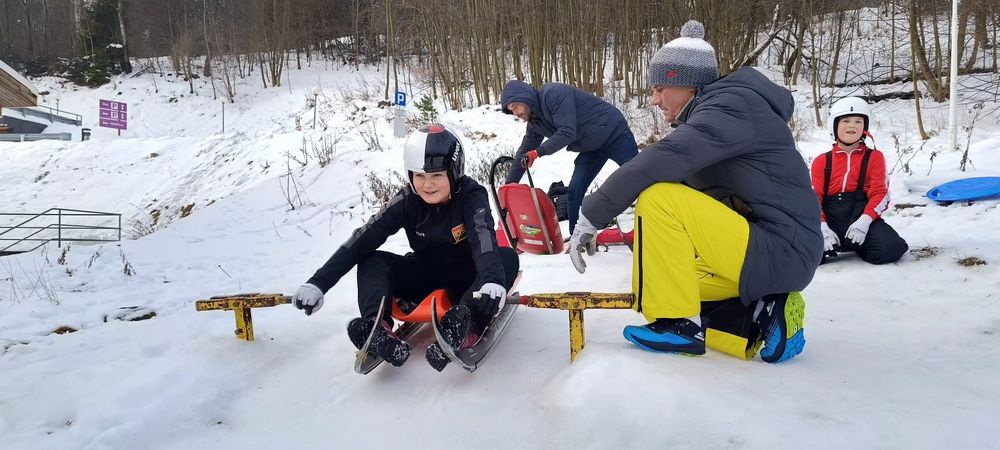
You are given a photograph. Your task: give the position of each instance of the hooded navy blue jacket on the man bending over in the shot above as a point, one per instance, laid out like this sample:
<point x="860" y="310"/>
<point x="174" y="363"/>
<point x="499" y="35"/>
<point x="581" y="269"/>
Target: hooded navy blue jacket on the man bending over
<point x="567" y="116"/>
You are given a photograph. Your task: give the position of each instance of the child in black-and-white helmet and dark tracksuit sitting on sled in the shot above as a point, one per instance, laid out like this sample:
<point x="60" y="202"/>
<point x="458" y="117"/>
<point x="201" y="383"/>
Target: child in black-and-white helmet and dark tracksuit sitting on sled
<point x="449" y="226"/>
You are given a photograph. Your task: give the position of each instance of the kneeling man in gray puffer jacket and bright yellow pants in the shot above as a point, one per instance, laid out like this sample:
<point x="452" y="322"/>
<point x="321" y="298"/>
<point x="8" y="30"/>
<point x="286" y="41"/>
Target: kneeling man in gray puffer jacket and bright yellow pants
<point x="725" y="210"/>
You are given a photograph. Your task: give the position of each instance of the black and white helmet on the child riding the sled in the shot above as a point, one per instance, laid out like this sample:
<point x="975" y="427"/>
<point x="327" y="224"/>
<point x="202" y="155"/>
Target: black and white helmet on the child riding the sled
<point x="433" y="148"/>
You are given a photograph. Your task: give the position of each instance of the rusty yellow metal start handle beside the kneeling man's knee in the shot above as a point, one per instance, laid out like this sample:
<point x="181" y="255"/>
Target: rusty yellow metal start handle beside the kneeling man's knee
<point x="575" y="303"/>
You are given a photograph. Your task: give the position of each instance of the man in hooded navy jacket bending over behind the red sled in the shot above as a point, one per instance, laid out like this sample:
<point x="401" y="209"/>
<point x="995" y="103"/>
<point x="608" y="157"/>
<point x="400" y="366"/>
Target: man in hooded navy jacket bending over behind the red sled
<point x="570" y="118"/>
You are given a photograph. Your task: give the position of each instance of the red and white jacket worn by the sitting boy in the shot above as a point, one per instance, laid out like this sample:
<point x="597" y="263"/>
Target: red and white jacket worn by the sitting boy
<point x="844" y="178"/>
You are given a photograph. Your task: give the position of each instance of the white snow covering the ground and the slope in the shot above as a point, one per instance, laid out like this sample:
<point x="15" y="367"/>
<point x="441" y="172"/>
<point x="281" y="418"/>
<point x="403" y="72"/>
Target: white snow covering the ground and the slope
<point x="898" y="356"/>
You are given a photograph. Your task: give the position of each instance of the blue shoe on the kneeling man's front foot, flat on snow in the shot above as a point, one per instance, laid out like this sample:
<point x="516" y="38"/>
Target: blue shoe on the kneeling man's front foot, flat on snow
<point x="668" y="335"/>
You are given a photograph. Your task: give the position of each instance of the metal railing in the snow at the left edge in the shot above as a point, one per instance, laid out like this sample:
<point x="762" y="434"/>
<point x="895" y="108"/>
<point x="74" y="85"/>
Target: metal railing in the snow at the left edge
<point x="58" y="225"/>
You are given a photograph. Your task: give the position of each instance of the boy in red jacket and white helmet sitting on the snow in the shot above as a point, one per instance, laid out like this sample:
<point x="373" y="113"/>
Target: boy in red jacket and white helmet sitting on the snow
<point x="850" y="181"/>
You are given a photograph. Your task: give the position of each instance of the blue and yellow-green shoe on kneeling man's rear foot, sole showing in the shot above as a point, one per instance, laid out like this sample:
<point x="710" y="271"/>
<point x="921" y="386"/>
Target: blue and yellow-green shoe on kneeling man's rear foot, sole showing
<point x="782" y="324"/>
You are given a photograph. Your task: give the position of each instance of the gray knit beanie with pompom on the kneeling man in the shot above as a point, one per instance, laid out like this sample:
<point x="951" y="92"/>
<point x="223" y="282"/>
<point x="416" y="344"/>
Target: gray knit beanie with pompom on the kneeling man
<point x="686" y="61"/>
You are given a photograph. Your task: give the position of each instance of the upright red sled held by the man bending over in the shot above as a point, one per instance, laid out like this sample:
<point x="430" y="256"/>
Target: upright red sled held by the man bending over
<point x="528" y="221"/>
